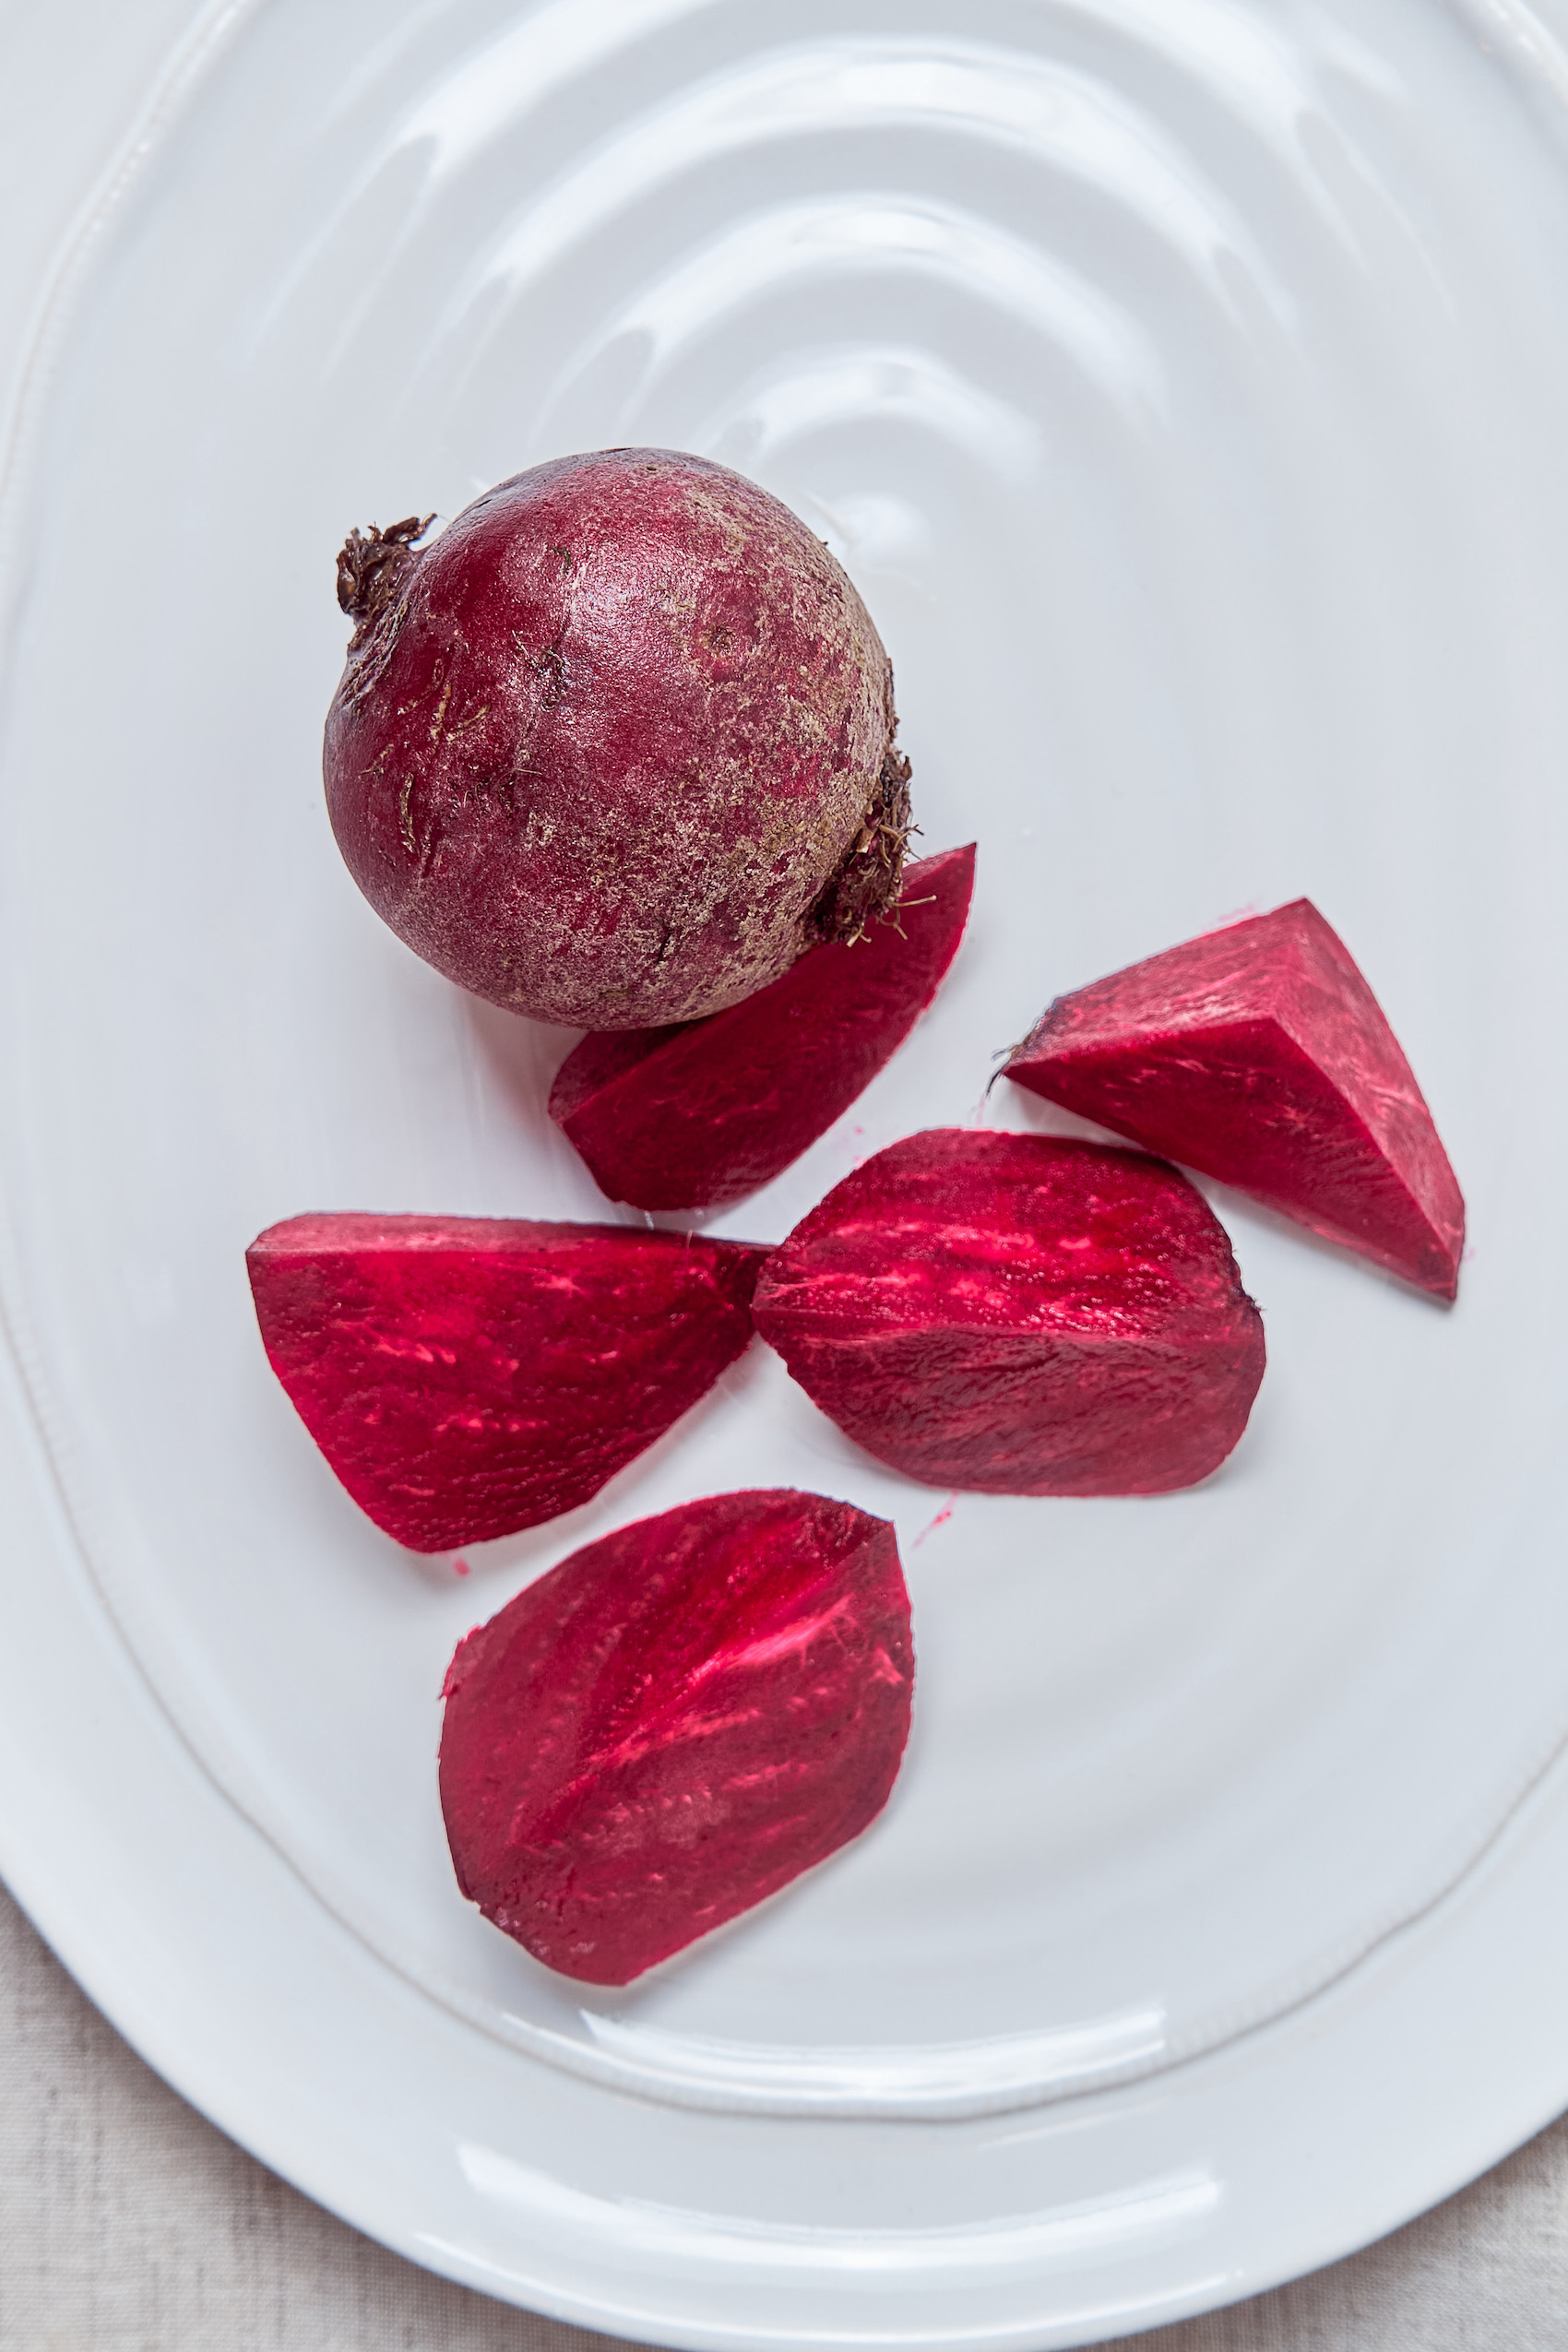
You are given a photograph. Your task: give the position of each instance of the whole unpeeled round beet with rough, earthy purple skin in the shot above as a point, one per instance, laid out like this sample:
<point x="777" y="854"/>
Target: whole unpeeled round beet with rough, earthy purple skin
<point x="619" y="744"/>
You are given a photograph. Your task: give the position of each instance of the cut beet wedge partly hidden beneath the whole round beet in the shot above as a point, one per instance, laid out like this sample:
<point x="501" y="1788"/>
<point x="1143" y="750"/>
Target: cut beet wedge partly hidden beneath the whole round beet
<point x="699" y="1114"/>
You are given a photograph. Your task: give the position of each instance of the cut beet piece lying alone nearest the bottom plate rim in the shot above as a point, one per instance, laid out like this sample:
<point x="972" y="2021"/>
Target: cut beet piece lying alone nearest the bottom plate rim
<point x="674" y="1725"/>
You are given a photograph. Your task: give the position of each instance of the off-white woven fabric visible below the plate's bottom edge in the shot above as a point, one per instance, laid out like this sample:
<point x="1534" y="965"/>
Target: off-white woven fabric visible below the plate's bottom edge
<point x="130" y="2226"/>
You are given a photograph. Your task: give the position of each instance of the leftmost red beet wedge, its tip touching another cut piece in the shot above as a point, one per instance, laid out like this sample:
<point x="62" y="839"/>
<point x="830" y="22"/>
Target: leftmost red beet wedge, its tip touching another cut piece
<point x="469" y="1377"/>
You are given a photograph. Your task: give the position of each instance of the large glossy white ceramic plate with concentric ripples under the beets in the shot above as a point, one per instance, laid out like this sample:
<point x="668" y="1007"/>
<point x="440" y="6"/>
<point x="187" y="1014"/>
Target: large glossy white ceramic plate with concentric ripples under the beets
<point x="1184" y="387"/>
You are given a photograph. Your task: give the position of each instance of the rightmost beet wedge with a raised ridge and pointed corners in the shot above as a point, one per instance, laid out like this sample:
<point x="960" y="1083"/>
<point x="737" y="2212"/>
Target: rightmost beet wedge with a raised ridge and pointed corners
<point x="1261" y="1057"/>
